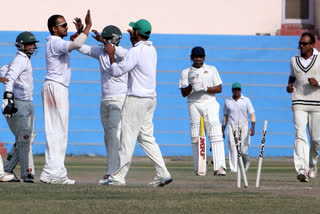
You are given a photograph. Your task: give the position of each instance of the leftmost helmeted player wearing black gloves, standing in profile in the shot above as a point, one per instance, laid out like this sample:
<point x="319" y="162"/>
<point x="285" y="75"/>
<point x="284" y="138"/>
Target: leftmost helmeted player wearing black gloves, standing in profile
<point x="17" y="106"/>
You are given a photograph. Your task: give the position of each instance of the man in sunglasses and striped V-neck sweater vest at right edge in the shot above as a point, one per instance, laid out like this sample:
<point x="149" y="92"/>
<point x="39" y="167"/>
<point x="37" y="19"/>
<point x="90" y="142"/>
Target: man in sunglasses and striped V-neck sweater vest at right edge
<point x="304" y="87"/>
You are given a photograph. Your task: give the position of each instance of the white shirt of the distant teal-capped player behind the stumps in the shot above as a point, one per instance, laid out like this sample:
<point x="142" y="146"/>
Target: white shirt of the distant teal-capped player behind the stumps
<point x="238" y="111"/>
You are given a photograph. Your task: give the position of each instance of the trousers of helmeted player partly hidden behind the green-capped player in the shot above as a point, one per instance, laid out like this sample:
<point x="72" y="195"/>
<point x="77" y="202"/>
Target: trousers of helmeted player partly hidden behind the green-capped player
<point x="110" y="113"/>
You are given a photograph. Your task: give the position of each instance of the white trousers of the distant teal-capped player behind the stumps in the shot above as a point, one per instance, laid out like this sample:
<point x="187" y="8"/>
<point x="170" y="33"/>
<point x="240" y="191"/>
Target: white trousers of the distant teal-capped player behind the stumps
<point x="245" y="143"/>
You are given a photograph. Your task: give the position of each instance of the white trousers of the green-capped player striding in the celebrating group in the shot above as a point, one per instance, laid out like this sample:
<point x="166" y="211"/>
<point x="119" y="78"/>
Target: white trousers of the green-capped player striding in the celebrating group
<point x="136" y="120"/>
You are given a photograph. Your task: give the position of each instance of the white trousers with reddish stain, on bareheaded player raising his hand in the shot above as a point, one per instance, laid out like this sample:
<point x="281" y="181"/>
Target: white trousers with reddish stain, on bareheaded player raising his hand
<point x="56" y="118"/>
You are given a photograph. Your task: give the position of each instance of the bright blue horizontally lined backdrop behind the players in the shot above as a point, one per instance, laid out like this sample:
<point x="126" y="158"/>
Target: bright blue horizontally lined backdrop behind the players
<point x="260" y="63"/>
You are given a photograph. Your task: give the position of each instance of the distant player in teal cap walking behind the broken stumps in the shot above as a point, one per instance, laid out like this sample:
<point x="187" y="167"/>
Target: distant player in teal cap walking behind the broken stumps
<point x="236" y="110"/>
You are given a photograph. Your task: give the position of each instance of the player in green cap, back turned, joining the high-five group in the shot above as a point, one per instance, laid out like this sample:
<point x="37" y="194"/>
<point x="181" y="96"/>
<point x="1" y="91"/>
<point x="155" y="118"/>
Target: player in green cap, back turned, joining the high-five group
<point x="136" y="119"/>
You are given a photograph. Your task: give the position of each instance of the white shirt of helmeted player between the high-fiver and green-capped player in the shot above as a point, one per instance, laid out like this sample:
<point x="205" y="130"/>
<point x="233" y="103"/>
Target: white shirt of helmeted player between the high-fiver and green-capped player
<point x="111" y="86"/>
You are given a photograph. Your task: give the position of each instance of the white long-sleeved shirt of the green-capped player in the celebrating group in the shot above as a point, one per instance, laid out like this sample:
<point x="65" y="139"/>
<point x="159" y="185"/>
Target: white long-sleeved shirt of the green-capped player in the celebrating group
<point x="141" y="63"/>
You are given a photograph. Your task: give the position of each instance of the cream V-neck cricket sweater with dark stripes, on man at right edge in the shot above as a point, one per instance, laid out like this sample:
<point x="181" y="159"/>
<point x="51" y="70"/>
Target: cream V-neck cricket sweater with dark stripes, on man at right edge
<point x="305" y="96"/>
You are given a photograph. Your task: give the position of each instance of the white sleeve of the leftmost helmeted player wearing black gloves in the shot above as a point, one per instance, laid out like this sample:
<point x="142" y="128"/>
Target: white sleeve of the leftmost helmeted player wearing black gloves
<point x="17" y="66"/>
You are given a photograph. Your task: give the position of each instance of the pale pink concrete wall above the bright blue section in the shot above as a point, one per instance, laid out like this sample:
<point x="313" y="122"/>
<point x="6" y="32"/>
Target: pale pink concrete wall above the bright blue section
<point x="237" y="17"/>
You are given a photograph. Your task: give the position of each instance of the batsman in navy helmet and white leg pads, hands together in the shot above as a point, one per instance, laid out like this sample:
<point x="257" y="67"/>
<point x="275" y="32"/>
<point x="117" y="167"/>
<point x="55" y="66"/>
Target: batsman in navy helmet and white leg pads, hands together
<point x="200" y="82"/>
